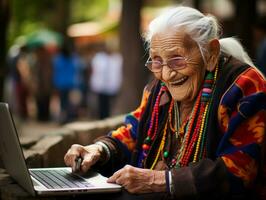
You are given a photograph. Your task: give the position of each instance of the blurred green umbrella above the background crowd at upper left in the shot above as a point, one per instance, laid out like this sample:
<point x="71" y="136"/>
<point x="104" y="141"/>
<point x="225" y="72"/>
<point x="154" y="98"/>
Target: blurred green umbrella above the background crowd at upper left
<point x="44" y="38"/>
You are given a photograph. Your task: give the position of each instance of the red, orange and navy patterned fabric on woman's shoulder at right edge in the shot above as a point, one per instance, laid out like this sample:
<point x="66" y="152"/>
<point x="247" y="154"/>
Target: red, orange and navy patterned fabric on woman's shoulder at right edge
<point x="242" y="120"/>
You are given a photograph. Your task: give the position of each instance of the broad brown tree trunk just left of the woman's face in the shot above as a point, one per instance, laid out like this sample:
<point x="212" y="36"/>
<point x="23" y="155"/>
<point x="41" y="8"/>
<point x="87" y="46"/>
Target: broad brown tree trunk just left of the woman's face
<point x="132" y="52"/>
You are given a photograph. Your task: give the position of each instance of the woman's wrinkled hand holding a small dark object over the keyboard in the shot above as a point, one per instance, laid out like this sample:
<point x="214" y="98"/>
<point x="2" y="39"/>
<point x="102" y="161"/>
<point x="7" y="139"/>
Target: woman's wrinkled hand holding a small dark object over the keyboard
<point x="89" y="155"/>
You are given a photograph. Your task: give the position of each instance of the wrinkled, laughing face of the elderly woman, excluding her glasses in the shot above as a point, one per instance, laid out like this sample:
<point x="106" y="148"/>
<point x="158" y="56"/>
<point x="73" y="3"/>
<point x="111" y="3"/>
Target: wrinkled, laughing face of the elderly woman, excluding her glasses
<point x="183" y="84"/>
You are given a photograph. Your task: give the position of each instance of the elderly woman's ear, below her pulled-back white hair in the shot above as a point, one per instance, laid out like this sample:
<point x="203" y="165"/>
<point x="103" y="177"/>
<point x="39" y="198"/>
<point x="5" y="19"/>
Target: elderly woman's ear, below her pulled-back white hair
<point x="214" y="52"/>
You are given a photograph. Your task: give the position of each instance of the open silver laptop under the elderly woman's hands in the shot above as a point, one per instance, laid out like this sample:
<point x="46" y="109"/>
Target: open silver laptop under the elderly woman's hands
<point x="43" y="181"/>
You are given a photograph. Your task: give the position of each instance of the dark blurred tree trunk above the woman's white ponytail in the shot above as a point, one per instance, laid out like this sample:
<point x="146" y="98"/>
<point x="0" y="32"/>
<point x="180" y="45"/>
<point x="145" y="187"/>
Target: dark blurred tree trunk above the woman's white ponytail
<point x="245" y="16"/>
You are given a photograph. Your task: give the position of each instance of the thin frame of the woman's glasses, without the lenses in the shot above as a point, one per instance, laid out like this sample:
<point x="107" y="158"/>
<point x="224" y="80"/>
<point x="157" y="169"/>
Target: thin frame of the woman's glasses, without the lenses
<point x="150" y="61"/>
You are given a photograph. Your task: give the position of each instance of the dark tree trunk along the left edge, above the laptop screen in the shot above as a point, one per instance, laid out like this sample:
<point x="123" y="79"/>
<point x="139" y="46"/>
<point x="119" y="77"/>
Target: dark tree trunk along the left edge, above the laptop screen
<point x="4" y="20"/>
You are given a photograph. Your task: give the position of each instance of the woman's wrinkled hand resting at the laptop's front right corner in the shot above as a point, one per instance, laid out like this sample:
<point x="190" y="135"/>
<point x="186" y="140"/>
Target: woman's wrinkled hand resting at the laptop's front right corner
<point x="137" y="180"/>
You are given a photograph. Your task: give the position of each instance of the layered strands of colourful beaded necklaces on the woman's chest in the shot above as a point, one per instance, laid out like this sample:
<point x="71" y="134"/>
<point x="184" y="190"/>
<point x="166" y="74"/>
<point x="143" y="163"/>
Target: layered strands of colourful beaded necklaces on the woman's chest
<point x="192" y="132"/>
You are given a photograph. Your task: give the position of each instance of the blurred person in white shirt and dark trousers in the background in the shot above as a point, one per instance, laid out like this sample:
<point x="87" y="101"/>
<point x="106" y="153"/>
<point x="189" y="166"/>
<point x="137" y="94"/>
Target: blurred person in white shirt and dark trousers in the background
<point x="106" y="79"/>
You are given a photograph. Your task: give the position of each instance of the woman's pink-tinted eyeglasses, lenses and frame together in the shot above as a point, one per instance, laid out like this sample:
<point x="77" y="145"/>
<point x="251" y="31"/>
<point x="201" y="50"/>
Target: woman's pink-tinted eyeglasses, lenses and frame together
<point x="175" y="63"/>
